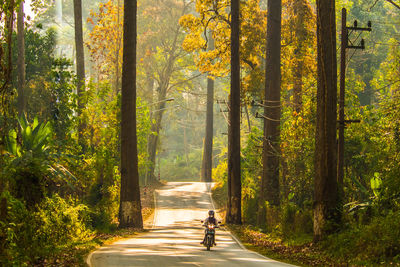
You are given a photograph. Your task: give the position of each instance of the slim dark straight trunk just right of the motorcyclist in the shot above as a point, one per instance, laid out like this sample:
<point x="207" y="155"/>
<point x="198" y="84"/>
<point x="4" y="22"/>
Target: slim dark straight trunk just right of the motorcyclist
<point x="234" y="209"/>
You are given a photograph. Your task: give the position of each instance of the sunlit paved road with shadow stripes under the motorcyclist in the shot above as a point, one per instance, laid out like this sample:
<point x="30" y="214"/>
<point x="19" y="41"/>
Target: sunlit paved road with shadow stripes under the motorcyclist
<point x="174" y="239"/>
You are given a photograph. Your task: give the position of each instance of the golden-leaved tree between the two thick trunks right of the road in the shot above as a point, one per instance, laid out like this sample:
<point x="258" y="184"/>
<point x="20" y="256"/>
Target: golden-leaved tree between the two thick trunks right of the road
<point x="298" y="55"/>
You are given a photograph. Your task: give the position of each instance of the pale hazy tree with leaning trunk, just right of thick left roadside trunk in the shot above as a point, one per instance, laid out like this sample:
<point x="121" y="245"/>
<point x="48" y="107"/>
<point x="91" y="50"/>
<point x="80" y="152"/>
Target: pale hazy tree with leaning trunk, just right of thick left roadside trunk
<point x="165" y="60"/>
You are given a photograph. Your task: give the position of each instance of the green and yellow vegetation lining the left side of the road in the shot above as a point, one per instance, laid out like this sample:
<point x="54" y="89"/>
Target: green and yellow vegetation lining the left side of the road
<point x="59" y="186"/>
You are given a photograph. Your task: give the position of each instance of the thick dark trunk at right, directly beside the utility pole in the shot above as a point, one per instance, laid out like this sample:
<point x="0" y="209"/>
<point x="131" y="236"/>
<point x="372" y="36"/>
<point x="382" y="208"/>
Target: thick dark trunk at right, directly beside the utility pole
<point x="325" y="185"/>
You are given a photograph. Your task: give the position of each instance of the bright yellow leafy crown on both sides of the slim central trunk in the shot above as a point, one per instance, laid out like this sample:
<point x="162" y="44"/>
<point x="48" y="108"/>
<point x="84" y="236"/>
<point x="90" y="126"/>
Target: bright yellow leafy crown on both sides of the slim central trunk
<point x="214" y="16"/>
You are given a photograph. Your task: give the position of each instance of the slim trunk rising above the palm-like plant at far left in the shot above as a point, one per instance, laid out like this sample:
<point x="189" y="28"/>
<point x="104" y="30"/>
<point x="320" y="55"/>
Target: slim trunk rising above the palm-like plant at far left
<point x="21" y="61"/>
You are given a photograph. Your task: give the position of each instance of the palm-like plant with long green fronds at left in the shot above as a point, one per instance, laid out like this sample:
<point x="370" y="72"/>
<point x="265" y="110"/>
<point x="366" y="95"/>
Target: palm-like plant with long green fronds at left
<point x="32" y="162"/>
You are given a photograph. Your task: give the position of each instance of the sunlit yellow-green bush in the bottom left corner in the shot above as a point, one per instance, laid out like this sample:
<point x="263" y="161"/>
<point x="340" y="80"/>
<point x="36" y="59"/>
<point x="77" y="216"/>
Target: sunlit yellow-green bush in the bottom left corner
<point x="56" y="225"/>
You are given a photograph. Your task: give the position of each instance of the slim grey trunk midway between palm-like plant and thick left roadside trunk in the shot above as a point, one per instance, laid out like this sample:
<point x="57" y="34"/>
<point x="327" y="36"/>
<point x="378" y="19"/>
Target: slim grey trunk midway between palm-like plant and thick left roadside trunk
<point x="80" y="63"/>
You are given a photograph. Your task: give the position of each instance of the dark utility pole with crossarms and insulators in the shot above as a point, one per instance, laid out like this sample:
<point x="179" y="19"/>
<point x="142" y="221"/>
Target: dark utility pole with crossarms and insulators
<point x="345" y="43"/>
